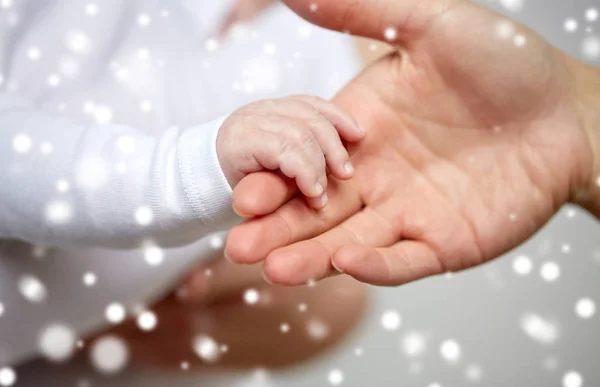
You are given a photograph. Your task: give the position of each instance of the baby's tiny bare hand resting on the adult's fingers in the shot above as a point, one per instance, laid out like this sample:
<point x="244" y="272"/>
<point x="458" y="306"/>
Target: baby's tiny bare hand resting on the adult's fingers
<point x="298" y="135"/>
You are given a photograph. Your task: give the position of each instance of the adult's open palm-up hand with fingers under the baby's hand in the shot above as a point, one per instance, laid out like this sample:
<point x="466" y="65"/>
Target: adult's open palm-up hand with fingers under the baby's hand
<point x="476" y="135"/>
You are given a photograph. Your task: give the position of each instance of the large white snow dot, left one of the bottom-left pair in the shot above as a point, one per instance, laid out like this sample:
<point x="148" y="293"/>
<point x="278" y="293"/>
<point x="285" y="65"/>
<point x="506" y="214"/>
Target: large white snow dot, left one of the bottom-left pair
<point x="57" y="342"/>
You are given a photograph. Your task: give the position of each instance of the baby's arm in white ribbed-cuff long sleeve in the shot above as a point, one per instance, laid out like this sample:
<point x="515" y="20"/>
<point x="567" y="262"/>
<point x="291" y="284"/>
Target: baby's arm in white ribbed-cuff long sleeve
<point x="69" y="183"/>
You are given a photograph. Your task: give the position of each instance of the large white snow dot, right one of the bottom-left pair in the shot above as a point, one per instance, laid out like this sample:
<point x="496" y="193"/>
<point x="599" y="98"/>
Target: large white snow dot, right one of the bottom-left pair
<point x="109" y="355"/>
